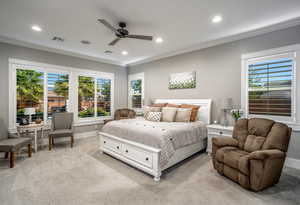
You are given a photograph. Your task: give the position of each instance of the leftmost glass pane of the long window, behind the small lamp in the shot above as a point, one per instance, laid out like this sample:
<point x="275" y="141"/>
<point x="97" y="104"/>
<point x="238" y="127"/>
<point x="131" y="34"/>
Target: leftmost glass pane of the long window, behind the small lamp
<point x="30" y="93"/>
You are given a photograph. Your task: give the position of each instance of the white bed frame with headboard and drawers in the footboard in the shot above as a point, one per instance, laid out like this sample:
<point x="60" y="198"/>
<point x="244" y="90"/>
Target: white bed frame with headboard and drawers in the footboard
<point x="147" y="158"/>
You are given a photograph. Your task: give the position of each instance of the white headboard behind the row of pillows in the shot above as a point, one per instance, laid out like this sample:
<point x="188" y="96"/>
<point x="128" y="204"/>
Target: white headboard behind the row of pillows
<point x="204" y="113"/>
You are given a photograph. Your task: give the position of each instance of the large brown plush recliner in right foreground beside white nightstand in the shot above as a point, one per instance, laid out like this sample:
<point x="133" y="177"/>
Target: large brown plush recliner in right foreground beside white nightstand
<point x="255" y="156"/>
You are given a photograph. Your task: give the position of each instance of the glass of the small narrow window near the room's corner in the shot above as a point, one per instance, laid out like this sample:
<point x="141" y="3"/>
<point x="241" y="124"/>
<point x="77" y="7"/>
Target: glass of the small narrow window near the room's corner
<point x="136" y="93"/>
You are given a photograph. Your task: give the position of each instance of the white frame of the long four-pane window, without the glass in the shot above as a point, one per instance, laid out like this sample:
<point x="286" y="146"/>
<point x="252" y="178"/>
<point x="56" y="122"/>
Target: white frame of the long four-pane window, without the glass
<point x="73" y="74"/>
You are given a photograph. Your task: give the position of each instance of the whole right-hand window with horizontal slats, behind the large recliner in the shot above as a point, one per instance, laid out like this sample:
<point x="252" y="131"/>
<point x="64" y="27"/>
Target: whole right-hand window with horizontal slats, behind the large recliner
<point x="269" y="86"/>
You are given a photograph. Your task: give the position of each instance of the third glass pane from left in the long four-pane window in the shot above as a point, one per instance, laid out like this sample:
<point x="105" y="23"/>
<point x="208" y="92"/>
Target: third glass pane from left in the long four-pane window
<point x="86" y="93"/>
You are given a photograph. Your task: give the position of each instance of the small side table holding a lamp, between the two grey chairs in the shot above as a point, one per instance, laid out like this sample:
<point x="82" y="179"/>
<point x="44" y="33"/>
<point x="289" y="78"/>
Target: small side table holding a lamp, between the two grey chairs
<point x="31" y="128"/>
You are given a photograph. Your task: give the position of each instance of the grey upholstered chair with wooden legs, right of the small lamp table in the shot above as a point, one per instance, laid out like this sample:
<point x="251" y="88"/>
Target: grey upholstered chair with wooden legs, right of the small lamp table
<point x="62" y="126"/>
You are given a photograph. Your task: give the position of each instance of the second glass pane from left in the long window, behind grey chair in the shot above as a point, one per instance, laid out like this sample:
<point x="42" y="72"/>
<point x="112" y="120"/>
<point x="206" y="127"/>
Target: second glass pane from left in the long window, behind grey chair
<point x="58" y="92"/>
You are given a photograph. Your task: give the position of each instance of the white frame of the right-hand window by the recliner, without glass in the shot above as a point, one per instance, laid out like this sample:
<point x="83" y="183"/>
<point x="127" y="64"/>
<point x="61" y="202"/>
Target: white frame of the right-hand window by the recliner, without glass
<point x="283" y="52"/>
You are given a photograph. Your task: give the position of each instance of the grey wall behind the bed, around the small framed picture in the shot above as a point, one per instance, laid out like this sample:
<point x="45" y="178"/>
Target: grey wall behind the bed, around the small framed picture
<point x="218" y="72"/>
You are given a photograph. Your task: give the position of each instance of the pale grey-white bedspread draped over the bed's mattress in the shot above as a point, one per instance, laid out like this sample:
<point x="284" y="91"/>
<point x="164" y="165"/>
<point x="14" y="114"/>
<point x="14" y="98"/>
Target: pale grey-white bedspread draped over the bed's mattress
<point x="167" y="136"/>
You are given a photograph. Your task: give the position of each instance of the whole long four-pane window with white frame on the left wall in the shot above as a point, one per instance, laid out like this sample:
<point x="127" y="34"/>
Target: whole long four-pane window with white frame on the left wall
<point x="49" y="89"/>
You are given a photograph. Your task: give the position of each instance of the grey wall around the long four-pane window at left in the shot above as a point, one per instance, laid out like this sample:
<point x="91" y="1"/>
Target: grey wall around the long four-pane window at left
<point x="10" y="51"/>
